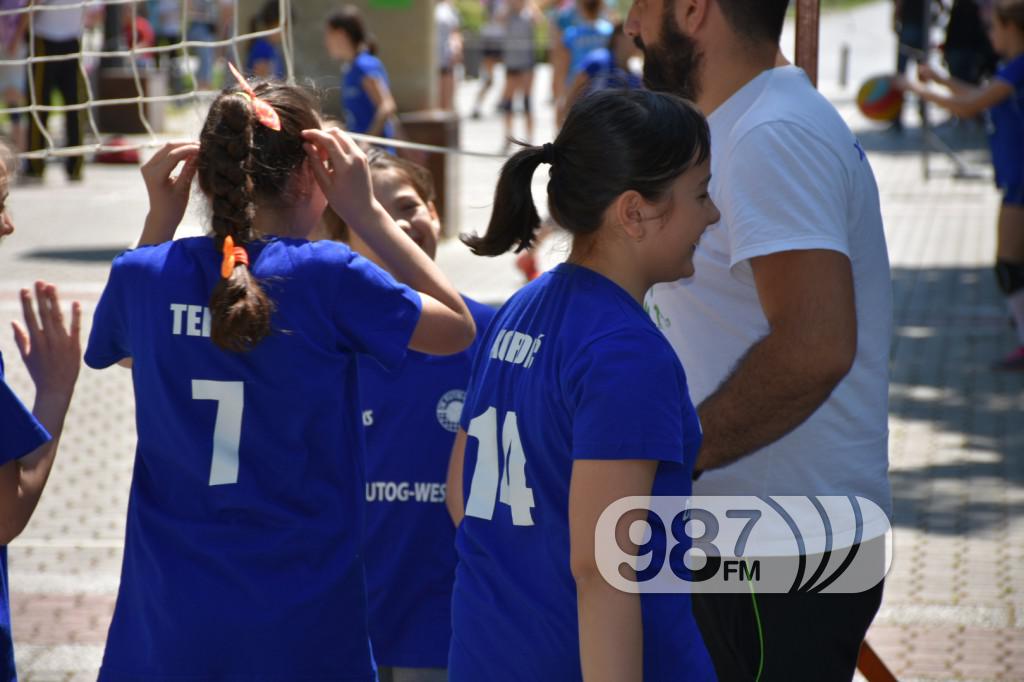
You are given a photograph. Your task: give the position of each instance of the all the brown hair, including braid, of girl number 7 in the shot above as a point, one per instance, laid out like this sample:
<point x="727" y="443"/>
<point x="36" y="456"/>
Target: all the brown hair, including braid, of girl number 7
<point x="242" y="163"/>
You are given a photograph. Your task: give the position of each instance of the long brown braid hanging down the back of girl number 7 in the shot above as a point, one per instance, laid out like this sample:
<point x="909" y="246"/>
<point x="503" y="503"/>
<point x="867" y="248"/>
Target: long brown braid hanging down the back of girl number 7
<point x="239" y="307"/>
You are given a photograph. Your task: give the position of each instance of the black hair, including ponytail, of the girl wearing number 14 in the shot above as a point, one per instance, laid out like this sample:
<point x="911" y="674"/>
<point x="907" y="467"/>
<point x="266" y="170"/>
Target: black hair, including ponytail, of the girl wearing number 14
<point x="612" y="142"/>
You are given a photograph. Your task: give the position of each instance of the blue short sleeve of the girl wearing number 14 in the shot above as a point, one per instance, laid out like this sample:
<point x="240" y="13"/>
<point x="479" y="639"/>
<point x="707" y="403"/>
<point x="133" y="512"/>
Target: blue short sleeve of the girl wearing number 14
<point x="628" y="400"/>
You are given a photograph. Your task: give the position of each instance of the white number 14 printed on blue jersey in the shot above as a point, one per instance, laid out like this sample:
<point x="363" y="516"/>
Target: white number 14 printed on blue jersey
<point x="511" y="490"/>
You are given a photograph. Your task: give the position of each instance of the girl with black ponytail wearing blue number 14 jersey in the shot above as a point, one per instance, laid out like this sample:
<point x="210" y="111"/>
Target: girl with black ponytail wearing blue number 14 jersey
<point x="578" y="401"/>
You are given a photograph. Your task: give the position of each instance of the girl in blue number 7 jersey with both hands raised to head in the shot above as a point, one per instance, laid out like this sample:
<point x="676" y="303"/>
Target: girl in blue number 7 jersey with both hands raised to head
<point x="243" y="551"/>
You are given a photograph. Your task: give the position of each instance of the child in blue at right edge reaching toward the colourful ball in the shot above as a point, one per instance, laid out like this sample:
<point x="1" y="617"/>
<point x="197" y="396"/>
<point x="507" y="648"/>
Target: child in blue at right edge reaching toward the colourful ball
<point x="1003" y="101"/>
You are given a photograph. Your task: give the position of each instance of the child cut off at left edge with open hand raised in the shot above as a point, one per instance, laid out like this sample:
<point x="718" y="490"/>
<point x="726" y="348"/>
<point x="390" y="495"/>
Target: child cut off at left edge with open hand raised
<point x="29" y="440"/>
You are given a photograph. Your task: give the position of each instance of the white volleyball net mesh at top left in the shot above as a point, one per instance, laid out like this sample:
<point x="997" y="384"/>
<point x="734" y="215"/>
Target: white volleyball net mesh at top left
<point x="112" y="36"/>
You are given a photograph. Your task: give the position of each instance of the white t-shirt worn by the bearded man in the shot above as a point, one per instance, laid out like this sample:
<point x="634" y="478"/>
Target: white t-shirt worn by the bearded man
<point x="787" y="176"/>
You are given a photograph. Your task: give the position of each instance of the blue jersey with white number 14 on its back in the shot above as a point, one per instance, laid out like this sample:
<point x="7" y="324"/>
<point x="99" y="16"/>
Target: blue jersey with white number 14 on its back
<point x="571" y="369"/>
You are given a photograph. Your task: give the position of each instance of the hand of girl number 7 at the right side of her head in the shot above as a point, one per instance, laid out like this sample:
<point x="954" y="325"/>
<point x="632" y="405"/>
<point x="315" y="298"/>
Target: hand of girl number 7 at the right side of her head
<point x="343" y="173"/>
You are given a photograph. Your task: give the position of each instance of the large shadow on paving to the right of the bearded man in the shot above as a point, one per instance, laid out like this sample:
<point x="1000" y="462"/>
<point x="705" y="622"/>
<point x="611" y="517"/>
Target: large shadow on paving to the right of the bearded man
<point x="951" y="323"/>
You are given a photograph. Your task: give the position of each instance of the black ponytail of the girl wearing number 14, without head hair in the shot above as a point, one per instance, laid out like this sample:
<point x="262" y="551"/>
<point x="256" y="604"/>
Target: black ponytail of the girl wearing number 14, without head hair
<point x="515" y="220"/>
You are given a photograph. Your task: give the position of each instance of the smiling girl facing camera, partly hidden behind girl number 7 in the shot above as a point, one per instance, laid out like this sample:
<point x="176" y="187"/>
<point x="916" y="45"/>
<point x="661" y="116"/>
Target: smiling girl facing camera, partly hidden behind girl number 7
<point x="411" y="414"/>
